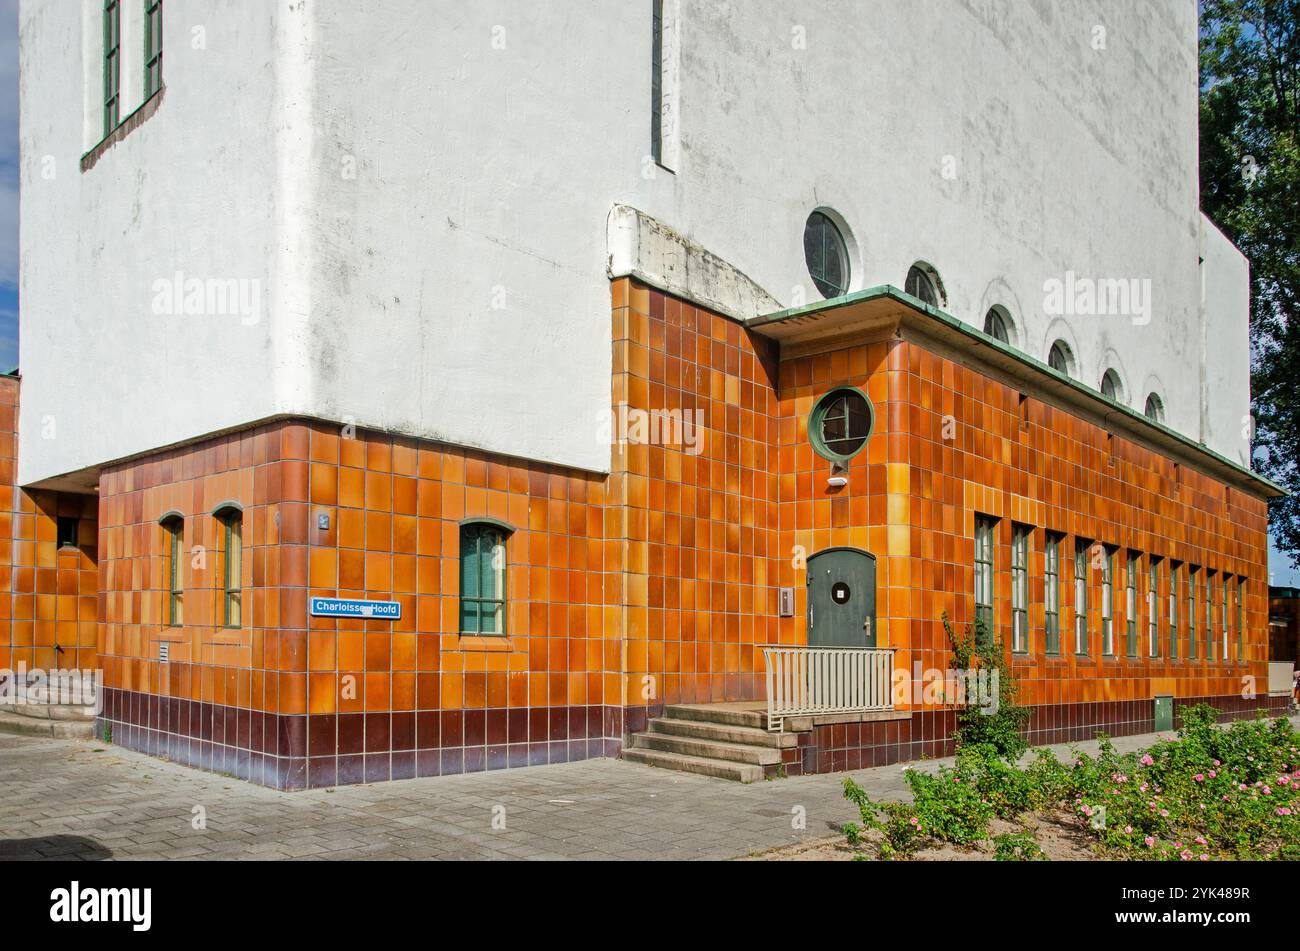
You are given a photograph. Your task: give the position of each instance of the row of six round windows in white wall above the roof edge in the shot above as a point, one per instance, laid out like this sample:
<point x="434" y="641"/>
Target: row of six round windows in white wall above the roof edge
<point x="827" y="258"/>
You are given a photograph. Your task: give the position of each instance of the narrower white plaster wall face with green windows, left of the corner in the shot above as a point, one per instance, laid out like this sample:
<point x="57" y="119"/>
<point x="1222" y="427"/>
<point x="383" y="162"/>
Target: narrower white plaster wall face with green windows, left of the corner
<point x="192" y="190"/>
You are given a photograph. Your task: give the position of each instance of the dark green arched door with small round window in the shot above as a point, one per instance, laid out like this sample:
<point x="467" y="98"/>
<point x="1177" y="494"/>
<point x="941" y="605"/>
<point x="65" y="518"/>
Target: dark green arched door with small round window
<point x="843" y="600"/>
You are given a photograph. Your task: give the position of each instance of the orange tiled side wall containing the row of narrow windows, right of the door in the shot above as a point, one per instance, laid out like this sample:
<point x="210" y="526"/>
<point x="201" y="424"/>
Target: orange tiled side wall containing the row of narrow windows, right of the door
<point x="1037" y="466"/>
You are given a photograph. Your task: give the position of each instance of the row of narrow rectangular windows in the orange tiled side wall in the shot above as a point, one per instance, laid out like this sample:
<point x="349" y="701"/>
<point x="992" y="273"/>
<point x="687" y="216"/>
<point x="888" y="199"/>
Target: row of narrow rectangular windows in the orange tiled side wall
<point x="1167" y="605"/>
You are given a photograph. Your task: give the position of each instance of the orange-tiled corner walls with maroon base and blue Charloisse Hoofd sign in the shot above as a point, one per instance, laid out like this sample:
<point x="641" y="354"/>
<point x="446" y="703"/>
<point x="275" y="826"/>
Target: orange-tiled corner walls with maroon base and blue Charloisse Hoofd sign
<point x="393" y="510"/>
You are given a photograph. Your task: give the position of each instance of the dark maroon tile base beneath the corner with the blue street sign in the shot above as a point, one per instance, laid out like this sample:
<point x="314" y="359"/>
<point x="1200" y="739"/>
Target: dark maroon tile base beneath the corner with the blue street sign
<point x="293" y="753"/>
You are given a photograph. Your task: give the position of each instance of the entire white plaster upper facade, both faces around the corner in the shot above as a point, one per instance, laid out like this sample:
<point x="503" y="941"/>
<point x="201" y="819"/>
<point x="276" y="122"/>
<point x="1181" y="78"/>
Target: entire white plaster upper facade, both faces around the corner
<point x="422" y="192"/>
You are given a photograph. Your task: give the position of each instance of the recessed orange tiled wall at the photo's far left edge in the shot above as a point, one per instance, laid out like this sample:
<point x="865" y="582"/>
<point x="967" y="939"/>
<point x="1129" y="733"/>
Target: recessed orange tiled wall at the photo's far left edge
<point x="47" y="594"/>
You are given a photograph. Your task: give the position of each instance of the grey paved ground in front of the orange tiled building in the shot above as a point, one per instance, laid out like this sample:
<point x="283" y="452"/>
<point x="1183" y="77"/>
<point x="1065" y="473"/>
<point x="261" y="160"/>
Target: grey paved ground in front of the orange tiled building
<point x="63" y="800"/>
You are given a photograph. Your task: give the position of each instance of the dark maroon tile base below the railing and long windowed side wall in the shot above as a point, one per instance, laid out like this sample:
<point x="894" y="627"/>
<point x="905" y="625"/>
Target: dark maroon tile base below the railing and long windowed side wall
<point x="928" y="735"/>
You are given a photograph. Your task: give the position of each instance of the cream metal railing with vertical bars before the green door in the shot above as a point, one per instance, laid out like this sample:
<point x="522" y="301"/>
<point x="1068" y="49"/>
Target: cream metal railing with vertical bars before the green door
<point x="816" y="681"/>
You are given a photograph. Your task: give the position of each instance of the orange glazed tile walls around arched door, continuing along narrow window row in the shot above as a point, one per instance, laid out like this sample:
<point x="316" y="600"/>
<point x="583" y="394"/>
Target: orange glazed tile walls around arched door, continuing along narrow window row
<point x="700" y="531"/>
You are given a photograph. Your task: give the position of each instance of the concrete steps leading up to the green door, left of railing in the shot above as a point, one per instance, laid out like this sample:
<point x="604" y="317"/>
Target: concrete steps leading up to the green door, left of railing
<point x="722" y="741"/>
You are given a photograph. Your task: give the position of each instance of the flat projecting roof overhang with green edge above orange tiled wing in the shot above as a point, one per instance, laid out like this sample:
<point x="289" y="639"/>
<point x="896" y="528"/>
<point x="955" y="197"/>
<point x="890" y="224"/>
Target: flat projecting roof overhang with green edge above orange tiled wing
<point x="890" y="312"/>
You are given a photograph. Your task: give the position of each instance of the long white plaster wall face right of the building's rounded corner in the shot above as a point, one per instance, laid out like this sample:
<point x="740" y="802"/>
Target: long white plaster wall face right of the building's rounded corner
<point x="488" y="167"/>
